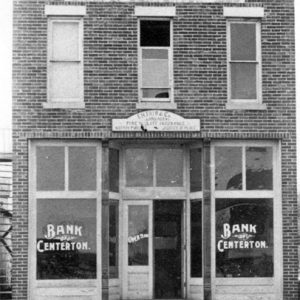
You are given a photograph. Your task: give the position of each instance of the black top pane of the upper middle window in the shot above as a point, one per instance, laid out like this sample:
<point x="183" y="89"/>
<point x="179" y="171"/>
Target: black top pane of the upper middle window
<point x="155" y="33"/>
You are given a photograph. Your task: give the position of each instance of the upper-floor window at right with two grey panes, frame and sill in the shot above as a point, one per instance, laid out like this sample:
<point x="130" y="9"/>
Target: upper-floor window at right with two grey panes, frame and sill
<point x="244" y="64"/>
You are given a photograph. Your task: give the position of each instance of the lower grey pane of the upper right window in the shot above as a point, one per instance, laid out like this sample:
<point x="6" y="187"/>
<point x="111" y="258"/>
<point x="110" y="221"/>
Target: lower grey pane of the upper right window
<point x="243" y="81"/>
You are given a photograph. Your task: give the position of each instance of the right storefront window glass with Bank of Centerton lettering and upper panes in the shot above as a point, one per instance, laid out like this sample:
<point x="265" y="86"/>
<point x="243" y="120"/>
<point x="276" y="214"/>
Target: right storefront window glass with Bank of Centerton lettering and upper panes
<point x="244" y="220"/>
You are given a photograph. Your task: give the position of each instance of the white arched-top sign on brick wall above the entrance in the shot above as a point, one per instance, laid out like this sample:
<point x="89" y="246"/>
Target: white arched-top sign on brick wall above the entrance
<point x="156" y="120"/>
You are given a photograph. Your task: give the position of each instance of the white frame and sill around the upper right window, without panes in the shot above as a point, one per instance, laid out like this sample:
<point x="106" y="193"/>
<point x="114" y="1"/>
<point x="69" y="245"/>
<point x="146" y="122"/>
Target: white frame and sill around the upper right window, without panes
<point x="251" y="104"/>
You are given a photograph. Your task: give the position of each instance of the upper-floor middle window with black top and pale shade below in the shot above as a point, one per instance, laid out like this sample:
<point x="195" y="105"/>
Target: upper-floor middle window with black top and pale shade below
<point x="155" y="60"/>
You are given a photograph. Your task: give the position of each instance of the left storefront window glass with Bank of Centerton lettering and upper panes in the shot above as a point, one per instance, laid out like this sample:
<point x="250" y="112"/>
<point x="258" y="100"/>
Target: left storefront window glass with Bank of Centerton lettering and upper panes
<point x="66" y="228"/>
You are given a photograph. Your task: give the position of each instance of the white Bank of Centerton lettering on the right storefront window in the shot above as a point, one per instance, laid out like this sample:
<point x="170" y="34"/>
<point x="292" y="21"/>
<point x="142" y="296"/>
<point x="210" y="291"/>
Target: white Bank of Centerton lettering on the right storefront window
<point x="239" y="236"/>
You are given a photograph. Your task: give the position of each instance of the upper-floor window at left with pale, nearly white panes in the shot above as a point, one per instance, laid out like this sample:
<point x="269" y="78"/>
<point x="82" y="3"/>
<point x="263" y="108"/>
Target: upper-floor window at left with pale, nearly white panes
<point x="65" y="61"/>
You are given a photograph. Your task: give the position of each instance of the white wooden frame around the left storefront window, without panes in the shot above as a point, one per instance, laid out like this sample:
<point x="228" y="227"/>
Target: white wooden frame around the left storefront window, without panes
<point x="61" y="287"/>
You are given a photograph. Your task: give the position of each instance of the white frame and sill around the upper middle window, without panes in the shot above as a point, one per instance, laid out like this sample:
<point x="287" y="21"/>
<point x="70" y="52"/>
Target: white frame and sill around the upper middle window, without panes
<point x="156" y="103"/>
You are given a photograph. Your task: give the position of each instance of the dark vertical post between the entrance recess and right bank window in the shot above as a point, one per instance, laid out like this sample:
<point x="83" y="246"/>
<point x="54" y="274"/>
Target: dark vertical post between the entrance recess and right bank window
<point x="206" y="221"/>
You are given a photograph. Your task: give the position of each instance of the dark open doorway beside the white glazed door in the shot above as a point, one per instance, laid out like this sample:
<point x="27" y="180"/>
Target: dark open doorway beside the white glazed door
<point x="167" y="249"/>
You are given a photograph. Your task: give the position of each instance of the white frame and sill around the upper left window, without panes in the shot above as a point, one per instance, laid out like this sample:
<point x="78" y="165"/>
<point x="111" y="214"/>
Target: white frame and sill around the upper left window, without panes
<point x="65" y="102"/>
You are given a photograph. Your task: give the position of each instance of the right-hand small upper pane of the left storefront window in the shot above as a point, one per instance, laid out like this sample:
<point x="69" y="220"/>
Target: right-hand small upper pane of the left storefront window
<point x="82" y="168"/>
